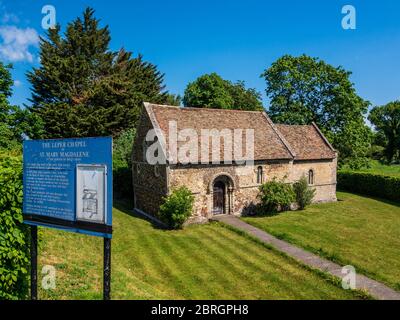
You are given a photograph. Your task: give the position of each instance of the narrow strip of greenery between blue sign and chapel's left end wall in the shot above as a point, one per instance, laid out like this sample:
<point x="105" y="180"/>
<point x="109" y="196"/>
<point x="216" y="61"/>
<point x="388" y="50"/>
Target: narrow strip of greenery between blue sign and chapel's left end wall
<point x="122" y="164"/>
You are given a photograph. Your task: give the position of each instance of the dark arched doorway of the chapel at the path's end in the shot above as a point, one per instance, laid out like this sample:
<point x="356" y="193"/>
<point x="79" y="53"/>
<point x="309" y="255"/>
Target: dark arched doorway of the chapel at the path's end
<point x="222" y="190"/>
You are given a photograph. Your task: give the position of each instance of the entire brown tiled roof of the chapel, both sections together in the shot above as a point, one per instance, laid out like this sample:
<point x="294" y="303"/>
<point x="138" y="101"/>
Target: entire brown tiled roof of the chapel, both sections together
<point x="271" y="142"/>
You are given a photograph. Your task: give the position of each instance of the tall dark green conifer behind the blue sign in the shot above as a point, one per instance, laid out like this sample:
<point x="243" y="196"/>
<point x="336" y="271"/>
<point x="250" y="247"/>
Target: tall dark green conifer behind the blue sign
<point x="82" y="88"/>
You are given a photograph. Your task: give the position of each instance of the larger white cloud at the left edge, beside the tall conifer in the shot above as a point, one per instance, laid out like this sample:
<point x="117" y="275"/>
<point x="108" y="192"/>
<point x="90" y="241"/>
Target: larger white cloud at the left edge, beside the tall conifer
<point x="16" y="43"/>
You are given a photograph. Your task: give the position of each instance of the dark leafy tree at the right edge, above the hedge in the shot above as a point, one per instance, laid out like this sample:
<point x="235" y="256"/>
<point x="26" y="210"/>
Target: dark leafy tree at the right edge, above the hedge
<point x="386" y="120"/>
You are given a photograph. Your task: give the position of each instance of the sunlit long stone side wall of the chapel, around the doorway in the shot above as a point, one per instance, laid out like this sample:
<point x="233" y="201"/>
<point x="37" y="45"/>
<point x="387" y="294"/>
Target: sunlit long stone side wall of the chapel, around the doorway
<point x="200" y="180"/>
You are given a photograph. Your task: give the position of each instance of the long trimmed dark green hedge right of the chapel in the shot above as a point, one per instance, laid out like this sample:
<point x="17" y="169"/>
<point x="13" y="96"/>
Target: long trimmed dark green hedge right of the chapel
<point x="376" y="185"/>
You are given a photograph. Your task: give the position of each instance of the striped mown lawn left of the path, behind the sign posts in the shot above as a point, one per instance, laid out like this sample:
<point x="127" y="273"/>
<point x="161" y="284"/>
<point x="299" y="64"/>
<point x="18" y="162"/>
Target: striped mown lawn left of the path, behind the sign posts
<point x="200" y="262"/>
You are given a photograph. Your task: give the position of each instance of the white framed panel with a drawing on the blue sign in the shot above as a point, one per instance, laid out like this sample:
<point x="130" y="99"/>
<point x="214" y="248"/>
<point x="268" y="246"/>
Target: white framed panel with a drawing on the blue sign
<point x="91" y="193"/>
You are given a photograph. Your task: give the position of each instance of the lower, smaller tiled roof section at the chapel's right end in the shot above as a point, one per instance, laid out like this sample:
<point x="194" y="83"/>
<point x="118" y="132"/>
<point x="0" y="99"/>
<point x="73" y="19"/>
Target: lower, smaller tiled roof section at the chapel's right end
<point x="307" y="142"/>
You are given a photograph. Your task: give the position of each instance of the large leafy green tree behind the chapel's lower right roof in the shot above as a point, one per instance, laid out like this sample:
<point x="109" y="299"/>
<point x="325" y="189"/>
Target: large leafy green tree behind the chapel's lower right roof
<point x="303" y="90"/>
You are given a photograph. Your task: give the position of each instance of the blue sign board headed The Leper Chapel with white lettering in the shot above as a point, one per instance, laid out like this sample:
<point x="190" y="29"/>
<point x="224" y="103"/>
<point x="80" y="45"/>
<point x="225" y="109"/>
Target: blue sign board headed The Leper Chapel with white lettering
<point x="68" y="184"/>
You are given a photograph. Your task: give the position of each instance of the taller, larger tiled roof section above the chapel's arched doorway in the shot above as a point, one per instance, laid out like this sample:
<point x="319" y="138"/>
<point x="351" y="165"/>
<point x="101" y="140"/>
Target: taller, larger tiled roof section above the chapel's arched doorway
<point x="268" y="142"/>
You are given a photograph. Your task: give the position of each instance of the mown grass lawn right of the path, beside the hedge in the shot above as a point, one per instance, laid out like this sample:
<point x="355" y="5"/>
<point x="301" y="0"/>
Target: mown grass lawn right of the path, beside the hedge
<point x="356" y="230"/>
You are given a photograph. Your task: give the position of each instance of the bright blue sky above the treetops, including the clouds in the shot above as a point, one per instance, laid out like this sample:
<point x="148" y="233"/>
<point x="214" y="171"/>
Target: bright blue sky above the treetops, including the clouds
<point x="237" y="39"/>
